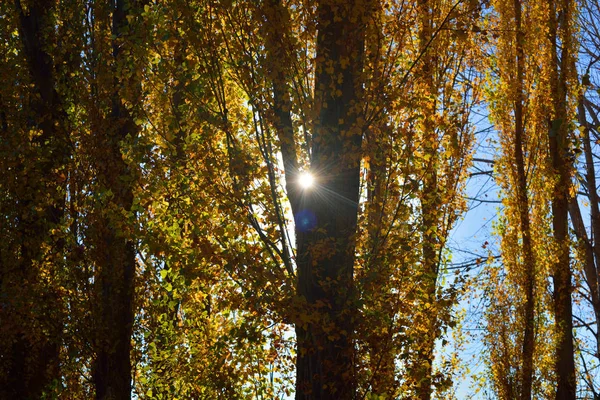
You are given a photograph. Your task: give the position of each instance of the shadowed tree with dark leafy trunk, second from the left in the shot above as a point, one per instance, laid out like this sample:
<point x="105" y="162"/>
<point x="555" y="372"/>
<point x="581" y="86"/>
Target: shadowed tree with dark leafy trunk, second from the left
<point x="113" y="97"/>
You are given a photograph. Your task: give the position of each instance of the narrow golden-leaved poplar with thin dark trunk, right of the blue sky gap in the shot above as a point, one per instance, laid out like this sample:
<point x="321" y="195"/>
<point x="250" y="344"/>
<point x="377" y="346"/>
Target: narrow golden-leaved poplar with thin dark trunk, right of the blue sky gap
<point x="518" y="107"/>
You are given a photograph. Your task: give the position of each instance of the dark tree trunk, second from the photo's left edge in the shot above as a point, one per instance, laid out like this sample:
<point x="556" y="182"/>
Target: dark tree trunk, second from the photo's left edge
<point x="115" y="252"/>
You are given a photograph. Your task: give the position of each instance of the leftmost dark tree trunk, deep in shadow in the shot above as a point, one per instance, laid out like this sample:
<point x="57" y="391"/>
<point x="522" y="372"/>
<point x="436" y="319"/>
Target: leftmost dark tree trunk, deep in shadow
<point x="33" y="364"/>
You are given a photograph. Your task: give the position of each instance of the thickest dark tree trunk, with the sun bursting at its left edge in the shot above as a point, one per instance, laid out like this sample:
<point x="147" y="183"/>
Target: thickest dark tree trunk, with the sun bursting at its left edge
<point x="326" y="222"/>
